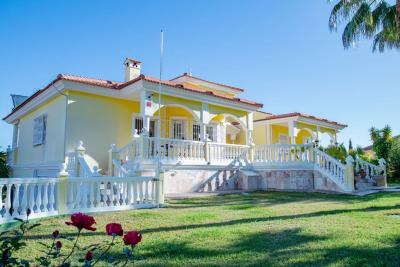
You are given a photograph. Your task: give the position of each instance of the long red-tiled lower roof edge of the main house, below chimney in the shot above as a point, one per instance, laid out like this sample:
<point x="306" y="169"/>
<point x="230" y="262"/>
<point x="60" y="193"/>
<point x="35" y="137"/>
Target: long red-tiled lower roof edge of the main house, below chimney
<point x="113" y="85"/>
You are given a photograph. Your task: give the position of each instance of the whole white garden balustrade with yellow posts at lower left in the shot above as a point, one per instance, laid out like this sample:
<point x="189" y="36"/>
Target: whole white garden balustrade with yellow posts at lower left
<point x="51" y="196"/>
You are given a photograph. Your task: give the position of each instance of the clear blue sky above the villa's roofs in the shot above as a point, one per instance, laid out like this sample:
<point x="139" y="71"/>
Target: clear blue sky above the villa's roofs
<point x="281" y="52"/>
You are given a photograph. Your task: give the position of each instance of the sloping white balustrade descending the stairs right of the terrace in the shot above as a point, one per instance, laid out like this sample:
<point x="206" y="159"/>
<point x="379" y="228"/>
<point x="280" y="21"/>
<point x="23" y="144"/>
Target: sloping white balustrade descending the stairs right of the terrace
<point x="331" y="167"/>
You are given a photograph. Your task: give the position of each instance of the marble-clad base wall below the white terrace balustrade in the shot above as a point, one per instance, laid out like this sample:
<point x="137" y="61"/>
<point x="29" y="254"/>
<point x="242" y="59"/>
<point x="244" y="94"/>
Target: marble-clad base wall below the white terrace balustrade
<point x="210" y="180"/>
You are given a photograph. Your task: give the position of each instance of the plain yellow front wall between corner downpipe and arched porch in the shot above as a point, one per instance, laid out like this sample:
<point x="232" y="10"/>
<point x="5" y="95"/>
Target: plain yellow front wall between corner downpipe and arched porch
<point x="99" y="122"/>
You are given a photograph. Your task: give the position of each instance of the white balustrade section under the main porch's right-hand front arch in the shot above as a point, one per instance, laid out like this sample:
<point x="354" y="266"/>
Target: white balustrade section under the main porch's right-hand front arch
<point x="217" y="152"/>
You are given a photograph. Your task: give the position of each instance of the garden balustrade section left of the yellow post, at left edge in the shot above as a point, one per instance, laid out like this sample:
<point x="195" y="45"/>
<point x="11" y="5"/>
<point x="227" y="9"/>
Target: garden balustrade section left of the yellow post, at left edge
<point x="20" y="194"/>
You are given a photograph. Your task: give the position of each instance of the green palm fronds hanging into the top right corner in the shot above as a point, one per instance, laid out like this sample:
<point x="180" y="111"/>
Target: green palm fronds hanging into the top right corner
<point x="377" y="20"/>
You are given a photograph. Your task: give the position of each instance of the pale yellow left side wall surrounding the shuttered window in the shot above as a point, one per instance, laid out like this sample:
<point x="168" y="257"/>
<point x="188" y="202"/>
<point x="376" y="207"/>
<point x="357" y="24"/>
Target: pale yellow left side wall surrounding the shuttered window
<point x="52" y="152"/>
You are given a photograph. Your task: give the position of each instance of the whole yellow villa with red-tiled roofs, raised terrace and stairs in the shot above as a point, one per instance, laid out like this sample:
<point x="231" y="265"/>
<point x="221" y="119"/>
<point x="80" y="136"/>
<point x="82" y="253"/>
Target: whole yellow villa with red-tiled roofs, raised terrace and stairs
<point x="199" y="134"/>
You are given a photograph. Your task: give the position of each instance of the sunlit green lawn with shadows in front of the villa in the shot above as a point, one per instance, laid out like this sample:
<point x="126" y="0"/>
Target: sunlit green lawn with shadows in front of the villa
<point x="281" y="229"/>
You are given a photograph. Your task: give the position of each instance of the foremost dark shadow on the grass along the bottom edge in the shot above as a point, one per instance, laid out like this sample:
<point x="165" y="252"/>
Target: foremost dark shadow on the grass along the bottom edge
<point x="284" y="248"/>
